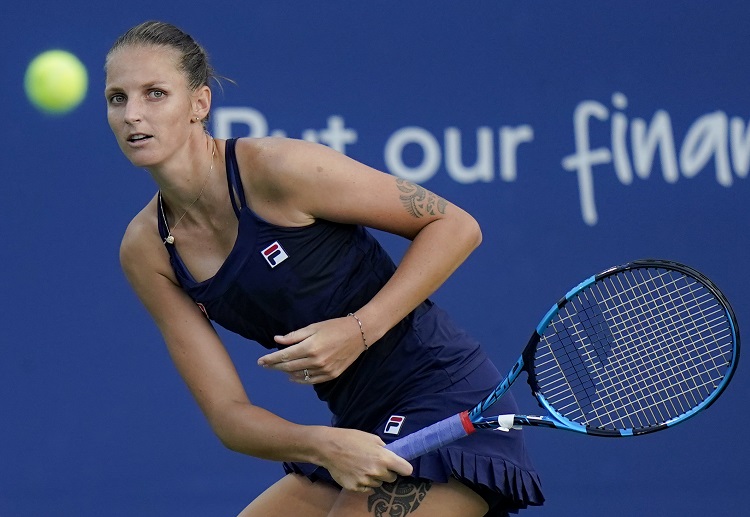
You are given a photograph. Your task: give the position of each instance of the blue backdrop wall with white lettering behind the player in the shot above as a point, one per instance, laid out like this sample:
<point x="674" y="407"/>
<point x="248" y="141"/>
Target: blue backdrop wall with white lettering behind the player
<point x="94" y="419"/>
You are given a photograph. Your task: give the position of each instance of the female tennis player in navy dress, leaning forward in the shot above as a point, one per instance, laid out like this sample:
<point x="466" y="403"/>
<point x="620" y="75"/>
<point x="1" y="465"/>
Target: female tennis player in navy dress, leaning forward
<point x="267" y="238"/>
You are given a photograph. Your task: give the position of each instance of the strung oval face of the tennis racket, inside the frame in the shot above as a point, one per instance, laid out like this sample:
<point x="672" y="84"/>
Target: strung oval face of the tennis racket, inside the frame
<point x="634" y="350"/>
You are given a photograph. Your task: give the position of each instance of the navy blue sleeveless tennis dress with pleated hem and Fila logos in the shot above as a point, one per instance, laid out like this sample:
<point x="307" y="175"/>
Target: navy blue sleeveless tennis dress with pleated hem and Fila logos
<point x="278" y="279"/>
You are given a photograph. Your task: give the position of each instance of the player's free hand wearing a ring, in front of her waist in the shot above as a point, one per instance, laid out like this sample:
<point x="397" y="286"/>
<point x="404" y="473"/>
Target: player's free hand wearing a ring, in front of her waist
<point x="317" y="353"/>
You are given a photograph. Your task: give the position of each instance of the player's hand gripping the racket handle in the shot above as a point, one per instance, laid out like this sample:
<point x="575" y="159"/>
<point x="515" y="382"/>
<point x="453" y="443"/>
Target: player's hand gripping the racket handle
<point x="359" y="461"/>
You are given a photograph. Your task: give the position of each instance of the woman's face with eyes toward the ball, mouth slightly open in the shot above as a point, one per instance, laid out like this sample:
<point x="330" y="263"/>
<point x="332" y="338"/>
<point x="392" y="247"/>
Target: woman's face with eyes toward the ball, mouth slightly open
<point x="149" y="106"/>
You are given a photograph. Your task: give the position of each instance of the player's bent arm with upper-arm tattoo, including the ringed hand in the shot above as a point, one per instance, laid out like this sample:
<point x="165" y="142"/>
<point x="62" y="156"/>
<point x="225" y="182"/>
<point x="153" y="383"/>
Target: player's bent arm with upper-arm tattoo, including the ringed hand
<point x="319" y="182"/>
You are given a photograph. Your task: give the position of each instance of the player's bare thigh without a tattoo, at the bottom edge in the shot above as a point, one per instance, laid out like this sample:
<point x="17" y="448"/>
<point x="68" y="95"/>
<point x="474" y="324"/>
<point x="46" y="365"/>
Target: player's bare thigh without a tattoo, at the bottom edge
<point x="293" y="495"/>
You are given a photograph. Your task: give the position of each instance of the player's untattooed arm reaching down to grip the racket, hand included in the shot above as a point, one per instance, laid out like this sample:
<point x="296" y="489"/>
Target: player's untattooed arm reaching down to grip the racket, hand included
<point x="354" y="458"/>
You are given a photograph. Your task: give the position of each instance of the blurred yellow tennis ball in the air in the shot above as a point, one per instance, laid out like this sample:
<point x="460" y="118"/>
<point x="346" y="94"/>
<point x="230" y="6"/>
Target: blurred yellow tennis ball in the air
<point x="56" y="81"/>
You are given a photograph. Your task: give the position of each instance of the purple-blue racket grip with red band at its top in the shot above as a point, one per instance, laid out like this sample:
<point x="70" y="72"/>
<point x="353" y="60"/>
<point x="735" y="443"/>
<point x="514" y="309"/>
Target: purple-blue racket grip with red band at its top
<point x="430" y="438"/>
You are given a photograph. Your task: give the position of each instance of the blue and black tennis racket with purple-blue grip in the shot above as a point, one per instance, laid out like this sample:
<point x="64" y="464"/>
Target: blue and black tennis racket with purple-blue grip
<point x="634" y="349"/>
